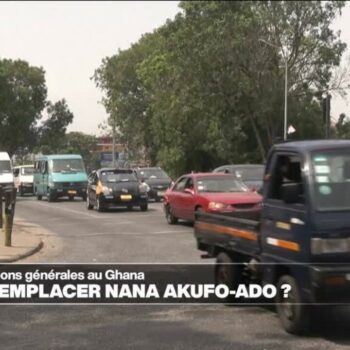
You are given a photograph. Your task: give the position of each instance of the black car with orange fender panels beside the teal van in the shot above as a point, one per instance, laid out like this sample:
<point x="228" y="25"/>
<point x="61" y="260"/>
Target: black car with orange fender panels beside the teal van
<point x="109" y="187"/>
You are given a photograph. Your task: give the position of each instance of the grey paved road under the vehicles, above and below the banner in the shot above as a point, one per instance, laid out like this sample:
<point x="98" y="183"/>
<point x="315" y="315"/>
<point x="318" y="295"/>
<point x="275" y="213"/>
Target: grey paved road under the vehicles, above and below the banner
<point x="123" y="236"/>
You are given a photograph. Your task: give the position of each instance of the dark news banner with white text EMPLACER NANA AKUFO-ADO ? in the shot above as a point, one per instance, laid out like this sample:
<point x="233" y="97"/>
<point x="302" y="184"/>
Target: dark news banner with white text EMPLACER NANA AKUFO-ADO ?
<point x="119" y="284"/>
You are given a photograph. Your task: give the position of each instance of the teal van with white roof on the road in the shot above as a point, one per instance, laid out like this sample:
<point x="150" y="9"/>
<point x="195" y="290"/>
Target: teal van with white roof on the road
<point x="60" y="175"/>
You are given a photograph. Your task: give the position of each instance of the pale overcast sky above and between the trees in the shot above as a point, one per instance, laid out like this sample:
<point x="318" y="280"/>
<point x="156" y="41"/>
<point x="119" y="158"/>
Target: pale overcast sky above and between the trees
<point x="69" y="40"/>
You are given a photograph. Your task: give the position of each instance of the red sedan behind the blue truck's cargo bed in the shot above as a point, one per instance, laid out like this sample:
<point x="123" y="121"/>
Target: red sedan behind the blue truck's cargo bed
<point x="210" y="192"/>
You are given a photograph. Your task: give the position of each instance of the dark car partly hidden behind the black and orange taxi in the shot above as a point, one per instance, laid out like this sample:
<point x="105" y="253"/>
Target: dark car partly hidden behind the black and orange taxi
<point x="156" y="178"/>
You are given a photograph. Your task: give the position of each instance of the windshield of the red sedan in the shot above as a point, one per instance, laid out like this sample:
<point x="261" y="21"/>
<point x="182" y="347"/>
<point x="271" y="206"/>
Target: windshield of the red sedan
<point x="220" y="184"/>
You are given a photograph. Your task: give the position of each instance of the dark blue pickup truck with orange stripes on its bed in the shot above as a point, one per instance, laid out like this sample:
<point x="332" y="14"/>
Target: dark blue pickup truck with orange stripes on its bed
<point x="302" y="238"/>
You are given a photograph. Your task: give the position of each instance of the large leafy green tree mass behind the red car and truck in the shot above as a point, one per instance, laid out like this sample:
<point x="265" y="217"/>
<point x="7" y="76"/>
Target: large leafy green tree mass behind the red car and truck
<point x="208" y="87"/>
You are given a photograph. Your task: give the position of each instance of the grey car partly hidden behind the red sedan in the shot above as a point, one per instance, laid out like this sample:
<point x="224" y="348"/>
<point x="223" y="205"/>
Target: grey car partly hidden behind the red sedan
<point x="251" y="174"/>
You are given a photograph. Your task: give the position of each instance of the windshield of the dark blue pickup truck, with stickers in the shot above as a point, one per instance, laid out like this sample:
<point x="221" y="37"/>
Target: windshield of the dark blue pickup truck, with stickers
<point x="331" y="175"/>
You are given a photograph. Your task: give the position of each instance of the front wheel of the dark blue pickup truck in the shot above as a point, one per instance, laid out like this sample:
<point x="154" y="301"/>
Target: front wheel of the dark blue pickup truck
<point x="293" y="315"/>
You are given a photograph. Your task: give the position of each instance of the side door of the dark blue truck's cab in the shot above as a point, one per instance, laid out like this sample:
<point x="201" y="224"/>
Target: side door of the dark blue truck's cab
<point x="284" y="225"/>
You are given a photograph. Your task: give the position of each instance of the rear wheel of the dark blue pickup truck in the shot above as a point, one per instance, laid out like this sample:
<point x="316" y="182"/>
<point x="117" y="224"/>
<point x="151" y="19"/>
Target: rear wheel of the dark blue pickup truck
<point x="228" y="273"/>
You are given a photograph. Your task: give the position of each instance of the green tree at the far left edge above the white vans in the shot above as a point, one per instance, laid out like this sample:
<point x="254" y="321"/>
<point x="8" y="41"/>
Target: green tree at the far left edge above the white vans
<point x="22" y="99"/>
